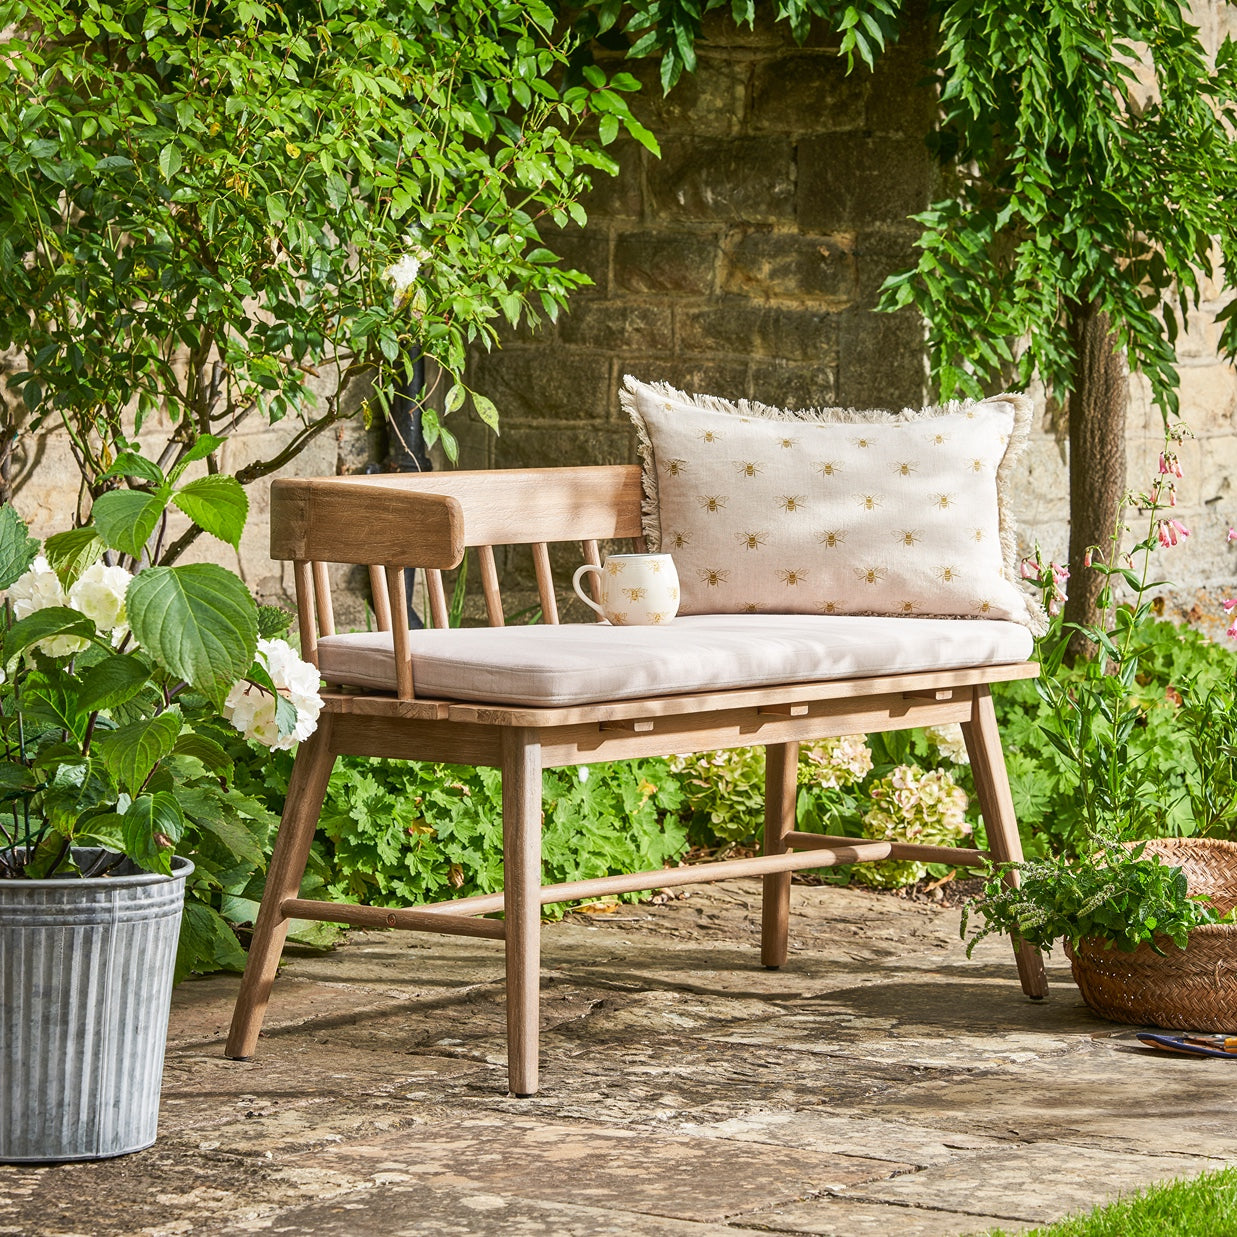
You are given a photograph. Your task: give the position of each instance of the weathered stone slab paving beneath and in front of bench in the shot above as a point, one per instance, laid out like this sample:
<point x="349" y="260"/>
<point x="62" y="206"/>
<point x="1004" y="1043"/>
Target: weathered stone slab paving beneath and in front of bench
<point x="881" y="1083"/>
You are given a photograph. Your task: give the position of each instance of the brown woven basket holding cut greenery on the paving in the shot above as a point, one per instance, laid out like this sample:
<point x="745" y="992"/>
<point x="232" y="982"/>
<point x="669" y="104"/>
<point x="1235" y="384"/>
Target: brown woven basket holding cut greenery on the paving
<point x="1194" y="989"/>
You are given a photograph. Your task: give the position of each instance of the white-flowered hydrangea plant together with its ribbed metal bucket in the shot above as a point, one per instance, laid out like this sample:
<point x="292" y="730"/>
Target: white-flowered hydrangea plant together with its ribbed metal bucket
<point x="119" y="683"/>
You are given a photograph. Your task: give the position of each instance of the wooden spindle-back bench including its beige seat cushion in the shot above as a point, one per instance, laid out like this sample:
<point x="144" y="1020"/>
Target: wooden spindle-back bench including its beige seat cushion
<point x="845" y="676"/>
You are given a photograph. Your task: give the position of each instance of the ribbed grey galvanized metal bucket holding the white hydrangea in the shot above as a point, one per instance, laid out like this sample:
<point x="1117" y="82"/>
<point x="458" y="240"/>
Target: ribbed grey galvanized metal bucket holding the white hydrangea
<point x="86" y="984"/>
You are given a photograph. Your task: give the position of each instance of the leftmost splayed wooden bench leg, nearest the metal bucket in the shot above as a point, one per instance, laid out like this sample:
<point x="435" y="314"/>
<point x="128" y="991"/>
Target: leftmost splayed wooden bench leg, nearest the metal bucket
<point x="307" y="790"/>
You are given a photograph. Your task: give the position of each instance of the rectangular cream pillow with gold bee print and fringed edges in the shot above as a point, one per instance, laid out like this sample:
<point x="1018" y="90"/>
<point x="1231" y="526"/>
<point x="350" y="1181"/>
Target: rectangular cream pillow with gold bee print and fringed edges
<point x="834" y="511"/>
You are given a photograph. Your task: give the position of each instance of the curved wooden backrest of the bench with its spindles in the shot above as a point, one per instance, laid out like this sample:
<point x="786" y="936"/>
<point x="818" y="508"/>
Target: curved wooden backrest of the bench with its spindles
<point x="427" y="520"/>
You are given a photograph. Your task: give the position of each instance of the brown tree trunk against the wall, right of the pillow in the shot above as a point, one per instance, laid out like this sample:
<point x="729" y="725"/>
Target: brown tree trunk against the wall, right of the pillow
<point x="1098" y="456"/>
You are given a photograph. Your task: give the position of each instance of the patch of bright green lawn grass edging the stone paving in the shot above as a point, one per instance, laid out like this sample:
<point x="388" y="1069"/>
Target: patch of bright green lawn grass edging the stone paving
<point x="1203" y="1207"/>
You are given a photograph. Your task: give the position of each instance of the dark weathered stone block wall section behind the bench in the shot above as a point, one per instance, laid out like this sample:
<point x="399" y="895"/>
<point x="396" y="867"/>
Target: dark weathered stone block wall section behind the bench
<point x="744" y="262"/>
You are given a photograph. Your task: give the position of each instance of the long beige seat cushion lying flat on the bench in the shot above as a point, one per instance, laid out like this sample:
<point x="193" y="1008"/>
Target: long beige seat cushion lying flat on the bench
<point x="578" y="664"/>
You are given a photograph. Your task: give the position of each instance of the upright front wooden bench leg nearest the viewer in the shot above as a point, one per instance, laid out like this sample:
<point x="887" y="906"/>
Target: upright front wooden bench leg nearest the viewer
<point x="521" y="863"/>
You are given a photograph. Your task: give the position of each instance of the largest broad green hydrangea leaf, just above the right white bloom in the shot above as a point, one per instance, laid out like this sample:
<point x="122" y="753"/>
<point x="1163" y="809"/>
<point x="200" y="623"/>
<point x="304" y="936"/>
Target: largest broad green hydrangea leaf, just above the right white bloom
<point x="199" y="622"/>
